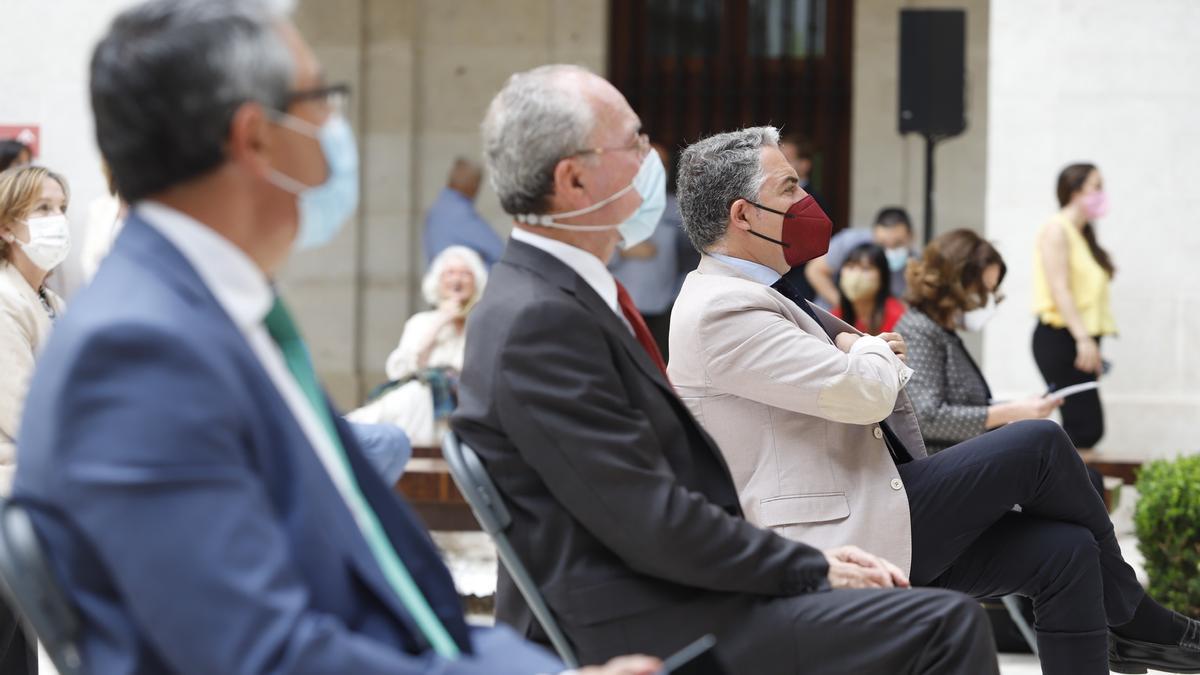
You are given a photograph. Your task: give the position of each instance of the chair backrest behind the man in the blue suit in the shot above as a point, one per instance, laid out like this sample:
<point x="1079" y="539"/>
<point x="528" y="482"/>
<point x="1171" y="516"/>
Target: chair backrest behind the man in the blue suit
<point x="33" y="589"/>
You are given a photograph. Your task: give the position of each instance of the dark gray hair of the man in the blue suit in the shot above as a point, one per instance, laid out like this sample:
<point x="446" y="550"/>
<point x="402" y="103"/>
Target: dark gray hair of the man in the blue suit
<point x="167" y="79"/>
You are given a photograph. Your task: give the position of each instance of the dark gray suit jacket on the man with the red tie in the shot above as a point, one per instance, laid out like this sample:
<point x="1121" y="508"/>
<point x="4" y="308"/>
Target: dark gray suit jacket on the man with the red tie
<point x="623" y="507"/>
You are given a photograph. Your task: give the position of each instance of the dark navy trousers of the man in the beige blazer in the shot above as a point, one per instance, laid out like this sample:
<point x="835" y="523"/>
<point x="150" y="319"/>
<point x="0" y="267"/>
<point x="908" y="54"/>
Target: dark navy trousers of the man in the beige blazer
<point x="1060" y="549"/>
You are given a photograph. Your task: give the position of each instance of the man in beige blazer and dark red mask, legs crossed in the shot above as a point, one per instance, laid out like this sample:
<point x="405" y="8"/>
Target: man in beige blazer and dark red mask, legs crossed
<point x="824" y="445"/>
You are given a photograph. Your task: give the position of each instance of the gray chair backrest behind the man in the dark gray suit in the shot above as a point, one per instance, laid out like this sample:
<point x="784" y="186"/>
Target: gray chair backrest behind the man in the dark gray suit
<point x="489" y="507"/>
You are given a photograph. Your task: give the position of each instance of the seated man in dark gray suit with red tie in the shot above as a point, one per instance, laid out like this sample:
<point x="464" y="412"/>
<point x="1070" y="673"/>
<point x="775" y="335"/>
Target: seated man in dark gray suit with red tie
<point x="625" y="510"/>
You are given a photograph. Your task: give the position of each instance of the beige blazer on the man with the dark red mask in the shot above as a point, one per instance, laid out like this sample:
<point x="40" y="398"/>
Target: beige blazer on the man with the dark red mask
<point x="796" y="419"/>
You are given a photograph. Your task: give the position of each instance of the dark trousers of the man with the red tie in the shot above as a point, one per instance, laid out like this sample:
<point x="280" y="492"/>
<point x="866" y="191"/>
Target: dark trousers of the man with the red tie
<point x="842" y="632"/>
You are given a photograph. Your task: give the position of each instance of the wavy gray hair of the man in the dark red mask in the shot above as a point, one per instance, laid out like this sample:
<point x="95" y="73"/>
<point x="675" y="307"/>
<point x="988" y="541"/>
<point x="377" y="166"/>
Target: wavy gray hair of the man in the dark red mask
<point x="716" y="172"/>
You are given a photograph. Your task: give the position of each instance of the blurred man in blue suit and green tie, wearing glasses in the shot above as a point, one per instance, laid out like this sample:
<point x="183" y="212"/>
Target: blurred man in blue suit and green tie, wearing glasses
<point x="206" y="509"/>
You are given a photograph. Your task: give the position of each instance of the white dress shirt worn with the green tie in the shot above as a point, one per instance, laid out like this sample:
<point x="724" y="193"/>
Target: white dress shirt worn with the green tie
<point x="245" y="295"/>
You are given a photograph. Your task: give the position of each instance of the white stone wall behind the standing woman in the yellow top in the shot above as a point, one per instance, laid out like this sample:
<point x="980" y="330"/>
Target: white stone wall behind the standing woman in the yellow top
<point x="1109" y="82"/>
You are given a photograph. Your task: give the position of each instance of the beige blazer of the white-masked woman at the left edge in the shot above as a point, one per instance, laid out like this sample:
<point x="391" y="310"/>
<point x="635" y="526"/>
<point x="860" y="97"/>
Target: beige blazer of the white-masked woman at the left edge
<point x="25" y="326"/>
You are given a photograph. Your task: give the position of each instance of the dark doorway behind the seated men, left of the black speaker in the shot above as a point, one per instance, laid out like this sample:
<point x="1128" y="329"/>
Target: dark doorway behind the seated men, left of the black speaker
<point x="694" y="68"/>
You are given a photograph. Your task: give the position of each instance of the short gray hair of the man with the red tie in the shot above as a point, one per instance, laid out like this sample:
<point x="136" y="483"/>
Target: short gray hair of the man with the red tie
<point x="532" y="124"/>
